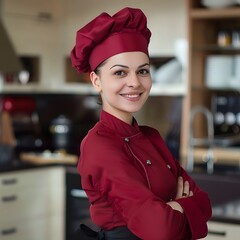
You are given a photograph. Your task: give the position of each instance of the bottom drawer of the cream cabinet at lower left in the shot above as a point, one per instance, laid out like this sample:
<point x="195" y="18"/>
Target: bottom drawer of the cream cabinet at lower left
<point x="48" y="228"/>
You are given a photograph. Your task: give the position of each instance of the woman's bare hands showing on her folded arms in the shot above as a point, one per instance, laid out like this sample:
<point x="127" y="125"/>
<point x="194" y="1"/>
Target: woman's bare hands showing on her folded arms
<point x="183" y="191"/>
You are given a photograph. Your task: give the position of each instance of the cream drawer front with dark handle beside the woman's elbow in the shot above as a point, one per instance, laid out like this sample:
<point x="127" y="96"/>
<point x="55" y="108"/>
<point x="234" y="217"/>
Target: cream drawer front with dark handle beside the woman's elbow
<point x="226" y="231"/>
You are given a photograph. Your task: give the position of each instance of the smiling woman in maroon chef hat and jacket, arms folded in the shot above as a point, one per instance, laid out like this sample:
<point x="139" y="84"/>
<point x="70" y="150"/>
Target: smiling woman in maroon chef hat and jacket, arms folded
<point x="136" y="188"/>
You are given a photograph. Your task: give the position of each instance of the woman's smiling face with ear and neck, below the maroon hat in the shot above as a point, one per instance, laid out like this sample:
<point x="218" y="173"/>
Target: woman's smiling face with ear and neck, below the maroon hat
<point x="124" y="83"/>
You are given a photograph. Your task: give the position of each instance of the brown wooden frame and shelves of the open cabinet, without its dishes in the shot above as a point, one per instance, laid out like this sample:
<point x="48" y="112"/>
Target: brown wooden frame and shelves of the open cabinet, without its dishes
<point x="204" y="29"/>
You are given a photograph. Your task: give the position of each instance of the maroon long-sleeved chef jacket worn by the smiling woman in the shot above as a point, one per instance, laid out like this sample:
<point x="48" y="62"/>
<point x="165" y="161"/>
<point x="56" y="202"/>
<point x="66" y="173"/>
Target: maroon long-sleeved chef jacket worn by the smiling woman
<point x="129" y="174"/>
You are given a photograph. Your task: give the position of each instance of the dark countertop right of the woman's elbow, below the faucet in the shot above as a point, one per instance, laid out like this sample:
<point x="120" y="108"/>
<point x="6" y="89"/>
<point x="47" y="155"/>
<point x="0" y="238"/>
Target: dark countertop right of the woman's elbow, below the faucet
<point x="223" y="190"/>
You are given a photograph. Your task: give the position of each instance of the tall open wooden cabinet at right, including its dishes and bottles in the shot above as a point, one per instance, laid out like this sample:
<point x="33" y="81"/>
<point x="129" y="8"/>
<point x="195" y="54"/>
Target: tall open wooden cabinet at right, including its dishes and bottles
<point x="213" y="78"/>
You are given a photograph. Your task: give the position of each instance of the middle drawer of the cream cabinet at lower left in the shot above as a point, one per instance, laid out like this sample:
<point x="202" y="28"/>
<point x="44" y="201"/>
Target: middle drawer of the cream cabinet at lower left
<point x="32" y="202"/>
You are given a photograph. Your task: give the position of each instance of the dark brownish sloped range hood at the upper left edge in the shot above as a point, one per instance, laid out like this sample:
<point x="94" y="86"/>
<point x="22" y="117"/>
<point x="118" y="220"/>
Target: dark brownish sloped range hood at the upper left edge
<point x="9" y="61"/>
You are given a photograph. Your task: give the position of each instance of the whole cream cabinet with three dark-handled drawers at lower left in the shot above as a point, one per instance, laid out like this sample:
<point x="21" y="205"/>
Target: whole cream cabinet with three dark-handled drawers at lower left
<point x="32" y="204"/>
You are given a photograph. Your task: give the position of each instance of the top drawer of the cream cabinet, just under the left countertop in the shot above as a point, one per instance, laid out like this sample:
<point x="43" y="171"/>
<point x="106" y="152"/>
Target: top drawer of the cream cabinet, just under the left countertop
<point x="31" y="177"/>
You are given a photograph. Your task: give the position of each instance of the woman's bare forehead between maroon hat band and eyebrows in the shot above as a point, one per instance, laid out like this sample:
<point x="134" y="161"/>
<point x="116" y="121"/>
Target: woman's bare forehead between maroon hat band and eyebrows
<point x="130" y="59"/>
